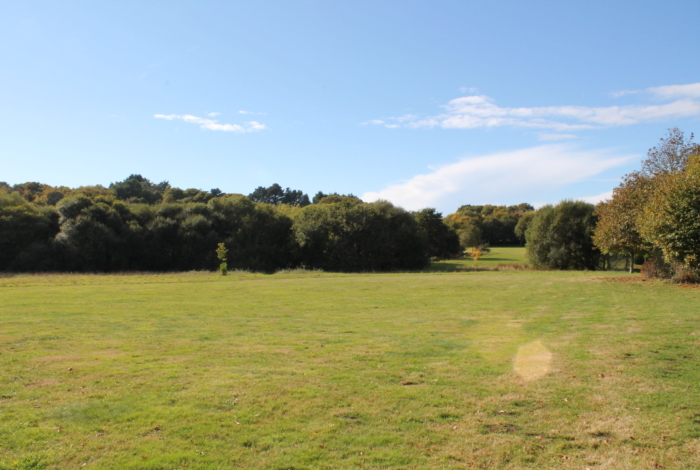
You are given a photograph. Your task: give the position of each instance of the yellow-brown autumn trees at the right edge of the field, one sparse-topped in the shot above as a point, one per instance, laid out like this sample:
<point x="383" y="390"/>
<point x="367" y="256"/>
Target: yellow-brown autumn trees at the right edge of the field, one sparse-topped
<point x="654" y="213"/>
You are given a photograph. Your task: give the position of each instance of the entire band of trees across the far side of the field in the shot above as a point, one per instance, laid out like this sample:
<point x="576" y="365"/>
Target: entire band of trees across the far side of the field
<point x="135" y="224"/>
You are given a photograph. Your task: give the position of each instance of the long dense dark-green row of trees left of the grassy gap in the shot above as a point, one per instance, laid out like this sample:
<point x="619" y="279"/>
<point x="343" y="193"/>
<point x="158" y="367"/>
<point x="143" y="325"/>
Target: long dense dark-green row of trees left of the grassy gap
<point x="136" y="224"/>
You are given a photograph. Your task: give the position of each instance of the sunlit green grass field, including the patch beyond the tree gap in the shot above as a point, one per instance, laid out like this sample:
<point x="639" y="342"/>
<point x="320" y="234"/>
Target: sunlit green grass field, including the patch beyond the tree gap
<point x="497" y="370"/>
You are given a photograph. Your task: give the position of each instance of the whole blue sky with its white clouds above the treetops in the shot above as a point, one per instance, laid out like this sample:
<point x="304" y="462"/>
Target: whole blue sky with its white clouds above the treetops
<point x="424" y="103"/>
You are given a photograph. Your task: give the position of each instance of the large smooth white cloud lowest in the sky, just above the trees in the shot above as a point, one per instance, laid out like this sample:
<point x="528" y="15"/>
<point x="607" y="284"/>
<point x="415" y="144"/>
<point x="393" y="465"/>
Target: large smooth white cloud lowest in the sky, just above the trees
<point x="524" y="174"/>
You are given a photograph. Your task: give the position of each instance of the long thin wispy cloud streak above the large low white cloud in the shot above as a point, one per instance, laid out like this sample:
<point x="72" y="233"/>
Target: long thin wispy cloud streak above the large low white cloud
<point x="478" y="111"/>
